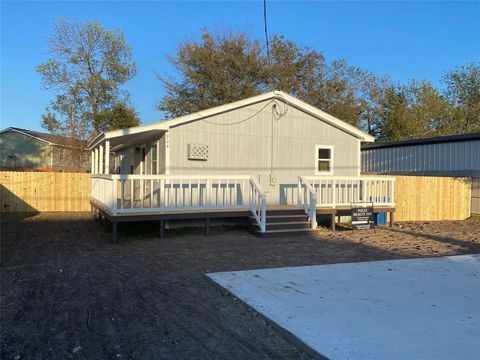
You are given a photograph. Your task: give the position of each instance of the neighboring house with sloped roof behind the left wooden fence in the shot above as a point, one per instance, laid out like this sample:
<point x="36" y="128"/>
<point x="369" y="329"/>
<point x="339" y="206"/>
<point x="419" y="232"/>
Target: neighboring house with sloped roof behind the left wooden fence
<point x="22" y="149"/>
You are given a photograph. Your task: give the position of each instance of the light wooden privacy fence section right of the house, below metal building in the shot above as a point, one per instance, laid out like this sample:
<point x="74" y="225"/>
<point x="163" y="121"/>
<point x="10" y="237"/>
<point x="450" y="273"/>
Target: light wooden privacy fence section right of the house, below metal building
<point x="425" y="198"/>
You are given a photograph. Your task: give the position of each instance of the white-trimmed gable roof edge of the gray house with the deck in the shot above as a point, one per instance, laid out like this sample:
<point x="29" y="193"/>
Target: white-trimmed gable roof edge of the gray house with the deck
<point x="278" y="95"/>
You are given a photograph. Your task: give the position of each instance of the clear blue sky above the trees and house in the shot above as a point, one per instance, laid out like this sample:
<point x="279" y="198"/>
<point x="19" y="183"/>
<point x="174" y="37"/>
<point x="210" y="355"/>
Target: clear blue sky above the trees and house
<point x="407" y="40"/>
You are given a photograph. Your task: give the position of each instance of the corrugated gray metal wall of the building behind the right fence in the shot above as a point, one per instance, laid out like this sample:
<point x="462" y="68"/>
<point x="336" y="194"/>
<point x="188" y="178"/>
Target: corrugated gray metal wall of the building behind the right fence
<point x="460" y="158"/>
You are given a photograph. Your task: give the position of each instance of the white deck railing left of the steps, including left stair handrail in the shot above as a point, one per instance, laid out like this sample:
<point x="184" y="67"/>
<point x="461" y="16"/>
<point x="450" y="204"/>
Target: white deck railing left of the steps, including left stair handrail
<point x="149" y="193"/>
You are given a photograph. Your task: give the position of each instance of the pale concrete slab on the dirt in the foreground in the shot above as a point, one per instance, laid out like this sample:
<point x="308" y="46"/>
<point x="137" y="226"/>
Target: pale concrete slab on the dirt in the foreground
<point x="400" y="309"/>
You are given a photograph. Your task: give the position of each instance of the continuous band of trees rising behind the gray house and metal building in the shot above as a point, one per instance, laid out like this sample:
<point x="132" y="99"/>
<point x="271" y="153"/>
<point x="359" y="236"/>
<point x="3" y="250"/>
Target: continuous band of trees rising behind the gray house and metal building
<point x="223" y="68"/>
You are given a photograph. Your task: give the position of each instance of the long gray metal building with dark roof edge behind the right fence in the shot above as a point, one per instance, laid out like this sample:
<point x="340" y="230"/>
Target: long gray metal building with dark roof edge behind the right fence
<point x="455" y="155"/>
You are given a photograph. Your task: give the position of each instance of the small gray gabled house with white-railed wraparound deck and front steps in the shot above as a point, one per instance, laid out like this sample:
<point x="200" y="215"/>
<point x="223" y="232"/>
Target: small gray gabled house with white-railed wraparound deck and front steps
<point x="267" y="158"/>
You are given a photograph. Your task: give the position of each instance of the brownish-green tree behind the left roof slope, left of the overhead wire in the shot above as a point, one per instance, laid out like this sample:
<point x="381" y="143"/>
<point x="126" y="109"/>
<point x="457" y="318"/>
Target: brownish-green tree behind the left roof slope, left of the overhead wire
<point x="215" y="70"/>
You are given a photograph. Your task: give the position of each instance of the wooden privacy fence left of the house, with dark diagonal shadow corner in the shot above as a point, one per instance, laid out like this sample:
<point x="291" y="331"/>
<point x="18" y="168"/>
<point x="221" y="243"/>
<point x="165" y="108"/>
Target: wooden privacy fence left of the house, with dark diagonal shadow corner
<point x="44" y="191"/>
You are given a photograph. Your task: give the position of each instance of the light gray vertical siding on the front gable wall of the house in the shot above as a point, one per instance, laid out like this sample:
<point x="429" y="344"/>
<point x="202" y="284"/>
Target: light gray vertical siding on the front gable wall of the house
<point x="249" y="141"/>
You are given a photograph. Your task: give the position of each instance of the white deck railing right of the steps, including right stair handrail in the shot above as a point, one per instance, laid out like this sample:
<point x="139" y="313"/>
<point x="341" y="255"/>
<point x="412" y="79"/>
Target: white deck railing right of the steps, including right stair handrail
<point x="333" y="191"/>
